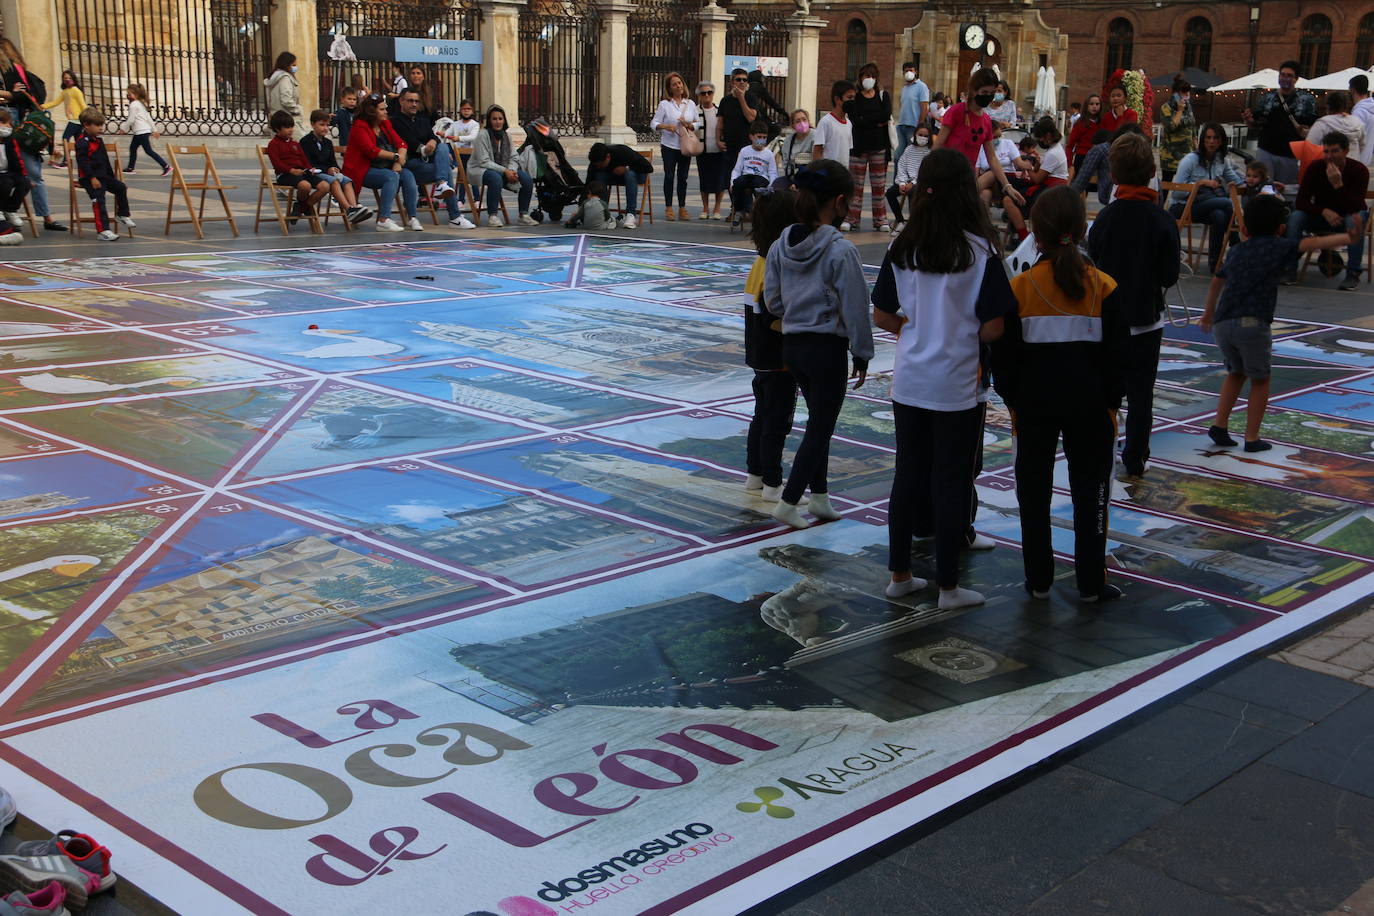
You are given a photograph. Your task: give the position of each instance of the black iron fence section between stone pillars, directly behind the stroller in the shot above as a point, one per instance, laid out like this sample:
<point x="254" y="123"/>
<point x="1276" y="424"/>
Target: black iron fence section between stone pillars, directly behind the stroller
<point x="560" y="65"/>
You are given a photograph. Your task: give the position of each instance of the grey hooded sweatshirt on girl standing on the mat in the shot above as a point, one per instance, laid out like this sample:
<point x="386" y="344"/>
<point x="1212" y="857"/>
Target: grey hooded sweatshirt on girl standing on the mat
<point x="815" y="285"/>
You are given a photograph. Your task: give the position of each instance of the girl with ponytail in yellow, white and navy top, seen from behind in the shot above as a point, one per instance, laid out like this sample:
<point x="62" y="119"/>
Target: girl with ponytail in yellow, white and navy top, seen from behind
<point x="1060" y="371"/>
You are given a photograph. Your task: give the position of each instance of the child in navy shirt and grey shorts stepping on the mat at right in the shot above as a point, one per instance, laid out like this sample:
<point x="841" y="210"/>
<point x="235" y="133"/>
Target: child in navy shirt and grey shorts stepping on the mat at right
<point x="1240" y="310"/>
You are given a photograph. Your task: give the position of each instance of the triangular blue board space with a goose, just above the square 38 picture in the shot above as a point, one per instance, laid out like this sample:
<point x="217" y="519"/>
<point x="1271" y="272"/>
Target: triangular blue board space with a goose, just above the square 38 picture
<point x="347" y="425"/>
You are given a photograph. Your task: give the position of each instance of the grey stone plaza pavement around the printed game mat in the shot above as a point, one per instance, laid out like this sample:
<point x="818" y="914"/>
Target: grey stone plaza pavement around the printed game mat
<point x="1251" y="792"/>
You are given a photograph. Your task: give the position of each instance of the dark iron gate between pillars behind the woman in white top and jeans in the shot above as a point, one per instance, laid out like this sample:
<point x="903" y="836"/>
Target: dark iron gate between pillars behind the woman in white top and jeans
<point x="664" y="38"/>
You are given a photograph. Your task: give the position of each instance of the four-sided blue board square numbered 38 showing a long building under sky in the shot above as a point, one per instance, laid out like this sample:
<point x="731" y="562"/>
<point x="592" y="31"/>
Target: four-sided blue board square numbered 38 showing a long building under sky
<point x="520" y="538"/>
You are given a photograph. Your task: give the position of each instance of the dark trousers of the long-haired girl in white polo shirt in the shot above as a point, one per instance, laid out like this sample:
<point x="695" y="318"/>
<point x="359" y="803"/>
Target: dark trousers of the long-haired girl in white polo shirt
<point x="938" y="453"/>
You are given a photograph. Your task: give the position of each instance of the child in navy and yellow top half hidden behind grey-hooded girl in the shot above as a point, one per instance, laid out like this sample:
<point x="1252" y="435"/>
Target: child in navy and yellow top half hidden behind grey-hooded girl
<point x="776" y="391"/>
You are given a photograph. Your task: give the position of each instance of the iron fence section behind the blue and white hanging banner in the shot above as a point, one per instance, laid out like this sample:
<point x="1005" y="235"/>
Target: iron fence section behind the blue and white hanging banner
<point x="450" y="83"/>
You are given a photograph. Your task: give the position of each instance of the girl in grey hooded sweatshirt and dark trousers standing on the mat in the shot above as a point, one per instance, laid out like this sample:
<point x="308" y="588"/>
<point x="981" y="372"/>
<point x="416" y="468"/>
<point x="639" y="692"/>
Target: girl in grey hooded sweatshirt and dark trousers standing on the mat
<point x="814" y="282"/>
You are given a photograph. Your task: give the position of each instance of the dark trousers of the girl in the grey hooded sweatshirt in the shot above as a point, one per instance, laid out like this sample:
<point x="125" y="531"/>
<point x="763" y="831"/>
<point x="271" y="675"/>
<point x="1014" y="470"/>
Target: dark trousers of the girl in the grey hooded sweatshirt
<point x="821" y="366"/>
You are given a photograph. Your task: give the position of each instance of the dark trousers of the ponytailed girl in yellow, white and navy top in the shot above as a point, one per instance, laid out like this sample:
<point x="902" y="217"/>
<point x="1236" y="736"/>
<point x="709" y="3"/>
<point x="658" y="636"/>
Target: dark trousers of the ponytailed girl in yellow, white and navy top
<point x="1089" y="439"/>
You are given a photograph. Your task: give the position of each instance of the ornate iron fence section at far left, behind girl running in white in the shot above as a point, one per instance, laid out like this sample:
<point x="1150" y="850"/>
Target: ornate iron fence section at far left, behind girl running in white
<point x="203" y="62"/>
